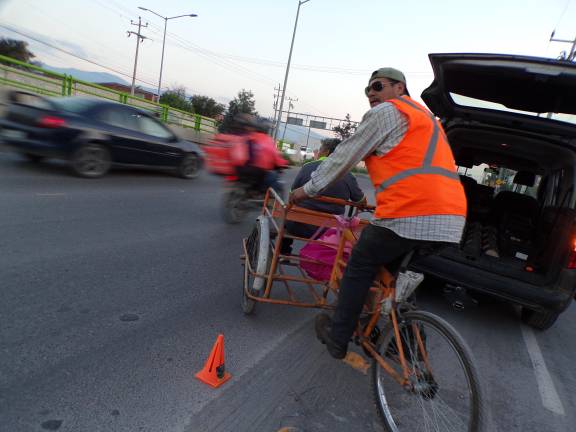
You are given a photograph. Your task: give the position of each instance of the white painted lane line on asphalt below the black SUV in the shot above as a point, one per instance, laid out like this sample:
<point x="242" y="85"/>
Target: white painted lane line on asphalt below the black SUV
<point x="548" y="393"/>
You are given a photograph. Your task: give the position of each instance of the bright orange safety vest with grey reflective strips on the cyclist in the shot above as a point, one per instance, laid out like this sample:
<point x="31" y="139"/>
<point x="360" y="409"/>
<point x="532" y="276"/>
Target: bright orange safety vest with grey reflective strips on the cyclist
<point x="418" y="177"/>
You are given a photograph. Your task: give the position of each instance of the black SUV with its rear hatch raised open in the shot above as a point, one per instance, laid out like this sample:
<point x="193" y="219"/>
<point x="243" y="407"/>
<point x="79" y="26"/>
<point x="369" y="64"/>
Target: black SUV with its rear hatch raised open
<point x="511" y="122"/>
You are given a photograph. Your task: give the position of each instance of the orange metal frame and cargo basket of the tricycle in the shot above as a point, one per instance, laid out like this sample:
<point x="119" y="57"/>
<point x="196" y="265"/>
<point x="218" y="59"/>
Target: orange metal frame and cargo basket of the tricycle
<point x="278" y="213"/>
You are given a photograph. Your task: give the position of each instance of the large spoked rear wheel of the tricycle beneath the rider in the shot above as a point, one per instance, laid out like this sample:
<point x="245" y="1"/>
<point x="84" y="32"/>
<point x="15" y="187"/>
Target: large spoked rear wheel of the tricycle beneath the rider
<point x="444" y="391"/>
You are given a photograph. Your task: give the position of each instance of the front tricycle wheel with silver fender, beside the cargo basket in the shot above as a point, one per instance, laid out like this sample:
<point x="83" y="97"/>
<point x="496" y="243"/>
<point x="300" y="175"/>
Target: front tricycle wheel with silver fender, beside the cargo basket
<point x="259" y="256"/>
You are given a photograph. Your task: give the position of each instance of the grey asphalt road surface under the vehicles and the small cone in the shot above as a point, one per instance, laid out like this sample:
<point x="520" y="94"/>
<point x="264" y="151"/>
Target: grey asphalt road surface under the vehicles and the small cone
<point x="113" y="291"/>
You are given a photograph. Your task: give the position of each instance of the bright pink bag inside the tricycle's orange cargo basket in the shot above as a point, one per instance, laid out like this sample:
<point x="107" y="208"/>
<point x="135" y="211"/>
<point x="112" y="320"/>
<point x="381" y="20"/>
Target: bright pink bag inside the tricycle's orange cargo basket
<point x="326" y="254"/>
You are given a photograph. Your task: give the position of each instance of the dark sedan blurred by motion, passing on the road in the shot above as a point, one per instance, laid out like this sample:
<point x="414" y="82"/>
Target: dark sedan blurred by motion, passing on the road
<point x="93" y="134"/>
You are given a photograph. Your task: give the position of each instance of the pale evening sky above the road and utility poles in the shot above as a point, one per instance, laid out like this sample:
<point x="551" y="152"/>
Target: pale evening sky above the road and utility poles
<point x="233" y="45"/>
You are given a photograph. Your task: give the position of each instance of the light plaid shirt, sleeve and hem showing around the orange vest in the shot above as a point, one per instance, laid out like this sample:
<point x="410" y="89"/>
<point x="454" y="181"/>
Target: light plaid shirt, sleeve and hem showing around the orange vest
<point x="383" y="128"/>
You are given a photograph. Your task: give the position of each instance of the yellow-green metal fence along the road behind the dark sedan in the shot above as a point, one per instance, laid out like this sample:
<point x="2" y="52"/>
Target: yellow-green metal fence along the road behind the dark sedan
<point x="24" y="76"/>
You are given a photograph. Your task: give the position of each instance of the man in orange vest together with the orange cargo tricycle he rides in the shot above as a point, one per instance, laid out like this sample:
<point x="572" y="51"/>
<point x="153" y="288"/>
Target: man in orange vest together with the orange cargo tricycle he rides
<point x="420" y="206"/>
